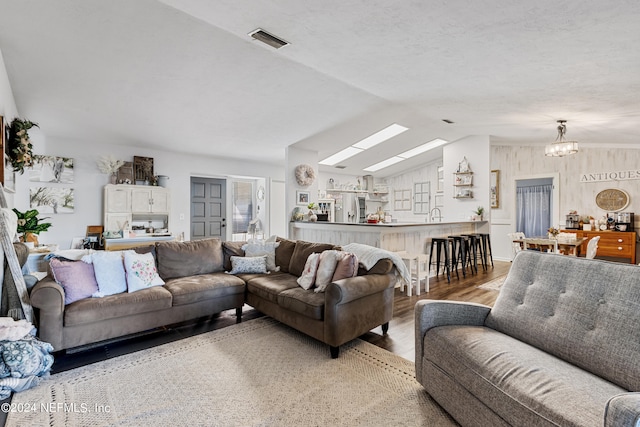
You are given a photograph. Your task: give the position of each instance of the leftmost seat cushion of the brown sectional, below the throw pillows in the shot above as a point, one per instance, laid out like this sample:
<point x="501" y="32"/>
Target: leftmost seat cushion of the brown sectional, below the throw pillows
<point x="90" y="310"/>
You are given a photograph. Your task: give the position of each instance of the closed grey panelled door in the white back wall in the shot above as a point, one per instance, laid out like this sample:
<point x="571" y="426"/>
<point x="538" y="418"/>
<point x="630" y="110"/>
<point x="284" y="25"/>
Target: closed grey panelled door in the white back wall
<point x="208" y="208"/>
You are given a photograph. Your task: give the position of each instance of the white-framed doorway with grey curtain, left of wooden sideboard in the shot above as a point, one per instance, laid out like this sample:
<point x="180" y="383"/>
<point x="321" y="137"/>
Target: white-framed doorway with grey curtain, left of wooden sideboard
<point x="536" y="205"/>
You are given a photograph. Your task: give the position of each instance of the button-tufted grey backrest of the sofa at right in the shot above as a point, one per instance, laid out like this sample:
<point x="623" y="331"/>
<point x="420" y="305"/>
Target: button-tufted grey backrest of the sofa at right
<point x="582" y="311"/>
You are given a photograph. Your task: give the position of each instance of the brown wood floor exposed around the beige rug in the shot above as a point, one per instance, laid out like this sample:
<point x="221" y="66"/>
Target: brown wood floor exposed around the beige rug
<point x="399" y="340"/>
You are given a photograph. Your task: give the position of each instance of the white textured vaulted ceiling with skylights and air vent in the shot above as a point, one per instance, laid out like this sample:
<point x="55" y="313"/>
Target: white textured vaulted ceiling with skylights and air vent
<point x="184" y="75"/>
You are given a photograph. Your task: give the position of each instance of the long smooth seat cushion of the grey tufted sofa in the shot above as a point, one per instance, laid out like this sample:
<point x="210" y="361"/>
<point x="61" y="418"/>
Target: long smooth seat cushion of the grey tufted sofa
<point x="521" y="383"/>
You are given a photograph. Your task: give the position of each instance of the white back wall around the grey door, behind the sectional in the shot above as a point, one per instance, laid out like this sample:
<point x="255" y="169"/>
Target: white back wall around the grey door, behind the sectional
<point x="89" y="183"/>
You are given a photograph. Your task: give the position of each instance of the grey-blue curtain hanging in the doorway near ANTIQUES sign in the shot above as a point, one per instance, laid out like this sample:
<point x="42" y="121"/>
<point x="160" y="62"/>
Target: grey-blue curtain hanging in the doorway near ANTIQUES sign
<point x="533" y="216"/>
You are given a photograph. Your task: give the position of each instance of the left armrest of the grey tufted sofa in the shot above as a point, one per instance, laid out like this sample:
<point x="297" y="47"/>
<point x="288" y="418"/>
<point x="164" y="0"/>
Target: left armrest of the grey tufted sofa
<point x="431" y="313"/>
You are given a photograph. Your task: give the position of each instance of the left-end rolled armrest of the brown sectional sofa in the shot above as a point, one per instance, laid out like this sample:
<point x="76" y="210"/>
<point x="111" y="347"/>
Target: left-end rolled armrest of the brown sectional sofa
<point x="48" y="297"/>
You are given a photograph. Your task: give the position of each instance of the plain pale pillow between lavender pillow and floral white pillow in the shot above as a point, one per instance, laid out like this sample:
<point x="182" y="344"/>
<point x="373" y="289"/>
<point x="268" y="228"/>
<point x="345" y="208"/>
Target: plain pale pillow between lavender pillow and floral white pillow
<point x="109" y="270"/>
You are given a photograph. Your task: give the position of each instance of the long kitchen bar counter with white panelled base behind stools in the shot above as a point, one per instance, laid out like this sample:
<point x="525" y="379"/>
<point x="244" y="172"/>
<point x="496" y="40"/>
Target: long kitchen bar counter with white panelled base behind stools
<point x="394" y="237"/>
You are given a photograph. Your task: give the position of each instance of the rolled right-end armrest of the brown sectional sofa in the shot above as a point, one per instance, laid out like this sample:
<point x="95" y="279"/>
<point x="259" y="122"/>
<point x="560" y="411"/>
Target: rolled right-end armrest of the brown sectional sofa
<point x="353" y="288"/>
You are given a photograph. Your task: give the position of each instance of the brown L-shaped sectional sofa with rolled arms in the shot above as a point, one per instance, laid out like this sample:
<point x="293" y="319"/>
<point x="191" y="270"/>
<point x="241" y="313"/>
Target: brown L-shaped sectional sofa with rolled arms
<point x="196" y="285"/>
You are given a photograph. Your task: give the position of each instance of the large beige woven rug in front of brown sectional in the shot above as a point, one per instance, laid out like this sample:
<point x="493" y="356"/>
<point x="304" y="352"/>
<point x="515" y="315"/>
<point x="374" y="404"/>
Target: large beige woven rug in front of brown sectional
<point x="257" y="373"/>
